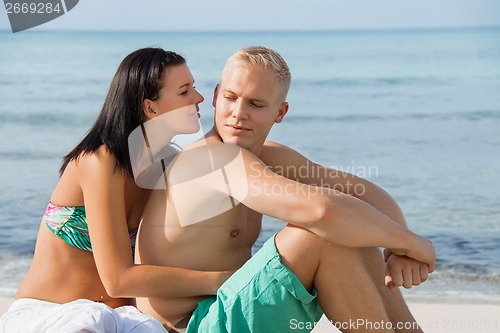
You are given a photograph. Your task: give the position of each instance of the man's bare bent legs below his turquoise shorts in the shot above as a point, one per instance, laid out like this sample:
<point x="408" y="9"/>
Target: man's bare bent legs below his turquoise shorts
<point x="349" y="281"/>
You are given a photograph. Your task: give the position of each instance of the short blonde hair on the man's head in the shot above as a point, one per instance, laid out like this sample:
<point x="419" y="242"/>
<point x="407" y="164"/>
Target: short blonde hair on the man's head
<point x="263" y="57"/>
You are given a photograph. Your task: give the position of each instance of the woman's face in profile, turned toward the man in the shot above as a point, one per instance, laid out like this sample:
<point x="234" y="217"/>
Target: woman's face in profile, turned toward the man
<point x="178" y="101"/>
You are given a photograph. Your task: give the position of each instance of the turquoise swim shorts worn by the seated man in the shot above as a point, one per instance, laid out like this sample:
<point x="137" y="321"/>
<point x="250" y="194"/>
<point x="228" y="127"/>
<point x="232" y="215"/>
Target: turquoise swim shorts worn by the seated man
<point x="262" y="296"/>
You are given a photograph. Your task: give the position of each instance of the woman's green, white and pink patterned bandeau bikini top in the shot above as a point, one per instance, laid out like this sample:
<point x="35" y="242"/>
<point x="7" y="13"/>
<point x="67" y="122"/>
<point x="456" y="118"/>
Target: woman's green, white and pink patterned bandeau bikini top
<point x="70" y="224"/>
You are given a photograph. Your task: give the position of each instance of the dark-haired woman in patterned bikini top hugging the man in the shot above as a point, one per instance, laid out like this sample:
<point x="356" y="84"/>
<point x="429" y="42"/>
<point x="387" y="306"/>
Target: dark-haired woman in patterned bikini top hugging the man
<point x="85" y="244"/>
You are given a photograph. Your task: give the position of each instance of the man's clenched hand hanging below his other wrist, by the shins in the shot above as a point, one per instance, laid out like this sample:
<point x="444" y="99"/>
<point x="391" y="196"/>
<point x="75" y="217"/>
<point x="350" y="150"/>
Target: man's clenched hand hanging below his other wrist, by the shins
<point x="404" y="271"/>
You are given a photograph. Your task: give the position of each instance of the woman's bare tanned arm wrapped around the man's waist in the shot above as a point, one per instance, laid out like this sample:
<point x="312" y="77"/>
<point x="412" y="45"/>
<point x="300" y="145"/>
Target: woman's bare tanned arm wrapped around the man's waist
<point x="103" y="188"/>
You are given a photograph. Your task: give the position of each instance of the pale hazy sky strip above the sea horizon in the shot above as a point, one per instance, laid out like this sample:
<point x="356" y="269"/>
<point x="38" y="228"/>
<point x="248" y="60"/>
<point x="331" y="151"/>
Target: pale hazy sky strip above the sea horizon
<point x="270" y="15"/>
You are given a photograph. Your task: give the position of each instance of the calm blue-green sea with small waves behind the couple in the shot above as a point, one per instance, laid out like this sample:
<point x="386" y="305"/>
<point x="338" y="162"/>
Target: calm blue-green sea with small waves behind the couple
<point x="415" y="111"/>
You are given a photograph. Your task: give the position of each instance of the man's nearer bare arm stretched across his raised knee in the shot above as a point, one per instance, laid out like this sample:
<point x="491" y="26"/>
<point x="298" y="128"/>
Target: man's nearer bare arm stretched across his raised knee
<point x="334" y="216"/>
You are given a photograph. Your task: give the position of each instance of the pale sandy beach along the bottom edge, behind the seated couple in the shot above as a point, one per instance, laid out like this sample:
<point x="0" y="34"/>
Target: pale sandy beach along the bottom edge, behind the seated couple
<point x="433" y="318"/>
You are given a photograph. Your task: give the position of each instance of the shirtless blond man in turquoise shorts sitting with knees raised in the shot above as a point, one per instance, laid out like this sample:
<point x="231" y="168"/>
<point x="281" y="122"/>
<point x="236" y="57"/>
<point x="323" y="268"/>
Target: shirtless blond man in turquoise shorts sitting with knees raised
<point x="325" y="260"/>
